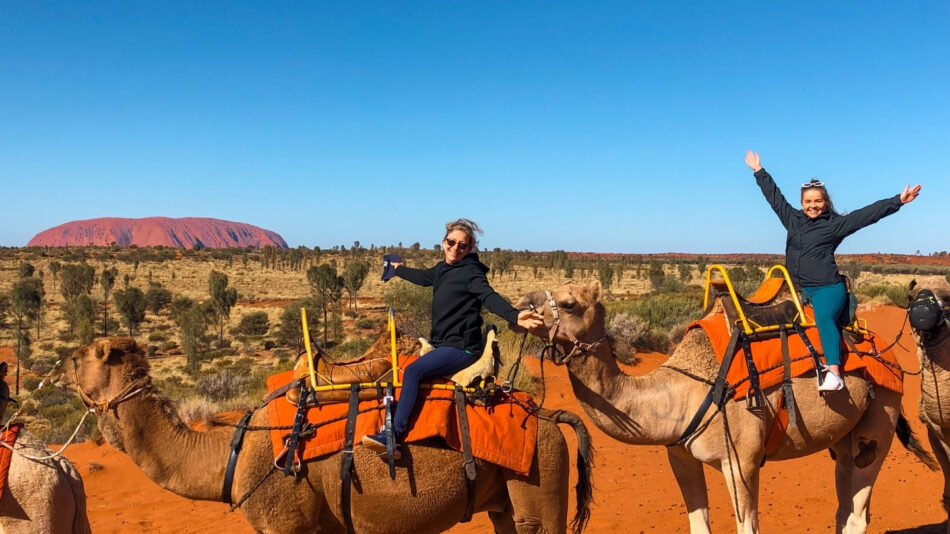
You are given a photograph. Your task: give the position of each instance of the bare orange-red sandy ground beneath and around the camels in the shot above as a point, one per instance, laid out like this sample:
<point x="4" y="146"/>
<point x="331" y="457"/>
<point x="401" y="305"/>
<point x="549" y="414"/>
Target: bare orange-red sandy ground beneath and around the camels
<point x="634" y="487"/>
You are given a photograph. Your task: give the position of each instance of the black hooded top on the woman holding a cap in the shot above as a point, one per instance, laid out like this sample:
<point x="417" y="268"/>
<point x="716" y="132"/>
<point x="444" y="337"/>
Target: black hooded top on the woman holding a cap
<point x="458" y="293"/>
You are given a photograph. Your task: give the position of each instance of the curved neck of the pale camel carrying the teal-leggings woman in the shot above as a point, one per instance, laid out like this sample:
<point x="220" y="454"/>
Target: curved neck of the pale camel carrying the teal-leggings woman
<point x="640" y="410"/>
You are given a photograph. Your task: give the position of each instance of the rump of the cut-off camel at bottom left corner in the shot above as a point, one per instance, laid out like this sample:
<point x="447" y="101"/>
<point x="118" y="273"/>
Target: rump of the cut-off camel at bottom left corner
<point x="42" y="495"/>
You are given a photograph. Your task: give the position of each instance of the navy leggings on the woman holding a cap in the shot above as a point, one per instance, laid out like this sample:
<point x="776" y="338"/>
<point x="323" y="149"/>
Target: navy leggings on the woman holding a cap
<point x="440" y="362"/>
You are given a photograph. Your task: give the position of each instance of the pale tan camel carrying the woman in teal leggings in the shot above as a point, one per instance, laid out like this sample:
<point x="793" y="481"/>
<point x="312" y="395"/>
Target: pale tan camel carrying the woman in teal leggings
<point x="656" y="409"/>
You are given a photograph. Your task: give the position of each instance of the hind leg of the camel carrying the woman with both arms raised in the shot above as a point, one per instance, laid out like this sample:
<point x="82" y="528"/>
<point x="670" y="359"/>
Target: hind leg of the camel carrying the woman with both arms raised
<point x="860" y="456"/>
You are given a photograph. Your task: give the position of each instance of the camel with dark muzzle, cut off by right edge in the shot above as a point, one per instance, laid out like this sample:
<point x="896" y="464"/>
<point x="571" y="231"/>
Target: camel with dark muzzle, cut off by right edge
<point x="931" y="329"/>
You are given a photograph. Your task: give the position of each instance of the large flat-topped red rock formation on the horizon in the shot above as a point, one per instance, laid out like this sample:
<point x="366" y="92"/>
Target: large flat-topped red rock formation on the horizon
<point x="183" y="232"/>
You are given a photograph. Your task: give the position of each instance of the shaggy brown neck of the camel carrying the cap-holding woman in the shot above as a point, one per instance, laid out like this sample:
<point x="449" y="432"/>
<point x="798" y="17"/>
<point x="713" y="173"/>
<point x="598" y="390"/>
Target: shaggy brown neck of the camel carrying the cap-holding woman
<point x="181" y="460"/>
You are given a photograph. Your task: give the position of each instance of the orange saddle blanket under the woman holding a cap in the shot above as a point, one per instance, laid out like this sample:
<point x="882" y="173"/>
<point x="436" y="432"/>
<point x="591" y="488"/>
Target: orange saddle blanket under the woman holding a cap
<point x="504" y="433"/>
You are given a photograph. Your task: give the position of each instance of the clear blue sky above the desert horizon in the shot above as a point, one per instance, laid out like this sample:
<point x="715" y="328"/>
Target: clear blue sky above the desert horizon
<point x="608" y="127"/>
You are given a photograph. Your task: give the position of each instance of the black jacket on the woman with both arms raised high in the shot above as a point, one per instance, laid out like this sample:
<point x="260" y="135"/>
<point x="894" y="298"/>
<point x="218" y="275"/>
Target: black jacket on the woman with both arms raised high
<point x="811" y="243"/>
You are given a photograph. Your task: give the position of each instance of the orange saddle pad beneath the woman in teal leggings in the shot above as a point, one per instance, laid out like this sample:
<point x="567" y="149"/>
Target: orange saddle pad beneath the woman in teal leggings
<point x="767" y="354"/>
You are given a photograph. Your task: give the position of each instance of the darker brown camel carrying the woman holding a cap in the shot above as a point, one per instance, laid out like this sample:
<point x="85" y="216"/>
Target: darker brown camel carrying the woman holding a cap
<point x="428" y="495"/>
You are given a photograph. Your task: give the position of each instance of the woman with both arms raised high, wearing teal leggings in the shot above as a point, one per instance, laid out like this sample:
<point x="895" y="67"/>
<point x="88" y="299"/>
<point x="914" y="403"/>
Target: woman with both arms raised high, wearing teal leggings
<point x="814" y="232"/>
